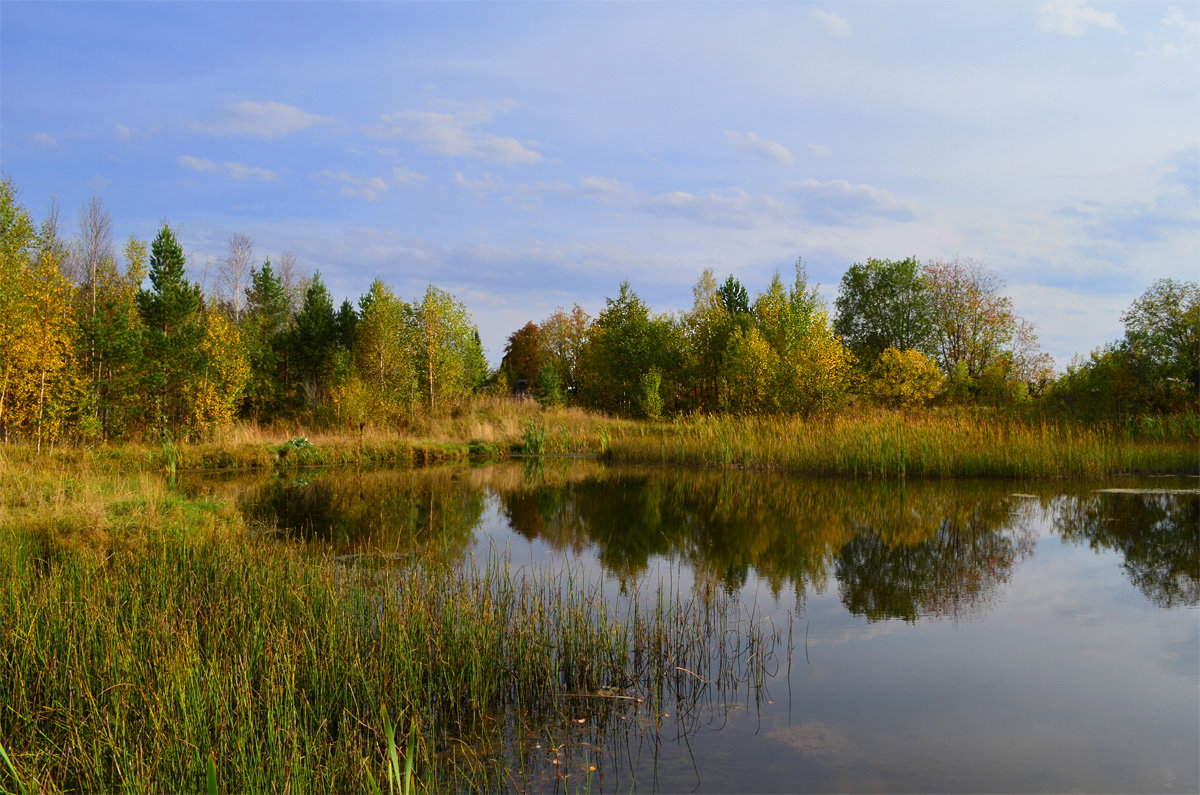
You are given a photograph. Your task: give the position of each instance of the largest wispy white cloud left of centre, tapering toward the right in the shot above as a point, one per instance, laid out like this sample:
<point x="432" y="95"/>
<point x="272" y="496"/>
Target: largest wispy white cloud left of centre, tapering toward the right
<point x="451" y="134"/>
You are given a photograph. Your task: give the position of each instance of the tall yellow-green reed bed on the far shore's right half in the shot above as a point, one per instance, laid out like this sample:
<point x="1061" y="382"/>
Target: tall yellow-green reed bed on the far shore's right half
<point x="928" y="445"/>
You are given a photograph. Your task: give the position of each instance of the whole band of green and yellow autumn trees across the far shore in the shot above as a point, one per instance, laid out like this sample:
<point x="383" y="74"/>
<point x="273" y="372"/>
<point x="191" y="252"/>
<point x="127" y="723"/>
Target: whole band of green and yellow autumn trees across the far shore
<point x="98" y="346"/>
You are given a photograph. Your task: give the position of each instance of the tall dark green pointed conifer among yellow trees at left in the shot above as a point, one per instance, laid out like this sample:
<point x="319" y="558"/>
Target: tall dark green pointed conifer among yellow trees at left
<point x="175" y="331"/>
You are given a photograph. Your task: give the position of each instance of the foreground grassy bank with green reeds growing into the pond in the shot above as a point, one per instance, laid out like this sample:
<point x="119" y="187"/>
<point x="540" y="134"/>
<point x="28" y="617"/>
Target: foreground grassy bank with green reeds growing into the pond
<point x="149" y="637"/>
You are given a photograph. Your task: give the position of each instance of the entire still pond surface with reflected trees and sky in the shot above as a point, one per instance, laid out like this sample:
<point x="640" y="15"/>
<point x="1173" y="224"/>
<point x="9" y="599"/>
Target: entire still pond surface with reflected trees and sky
<point x="956" y="636"/>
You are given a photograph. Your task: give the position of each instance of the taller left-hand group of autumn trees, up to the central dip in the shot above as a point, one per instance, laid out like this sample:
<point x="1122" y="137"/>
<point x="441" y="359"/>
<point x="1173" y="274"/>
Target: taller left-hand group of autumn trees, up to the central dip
<point x="97" y="346"/>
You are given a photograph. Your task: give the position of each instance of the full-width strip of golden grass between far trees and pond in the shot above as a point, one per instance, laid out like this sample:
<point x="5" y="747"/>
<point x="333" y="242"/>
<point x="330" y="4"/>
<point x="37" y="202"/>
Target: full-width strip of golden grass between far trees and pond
<point x="874" y="444"/>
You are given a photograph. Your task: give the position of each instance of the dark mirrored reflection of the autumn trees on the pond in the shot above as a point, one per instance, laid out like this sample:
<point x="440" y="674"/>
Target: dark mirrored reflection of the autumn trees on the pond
<point x="896" y="551"/>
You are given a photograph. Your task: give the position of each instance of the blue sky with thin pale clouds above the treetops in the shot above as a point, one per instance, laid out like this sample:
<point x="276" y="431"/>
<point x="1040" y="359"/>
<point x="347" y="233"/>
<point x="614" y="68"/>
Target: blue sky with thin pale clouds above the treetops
<point x="526" y="157"/>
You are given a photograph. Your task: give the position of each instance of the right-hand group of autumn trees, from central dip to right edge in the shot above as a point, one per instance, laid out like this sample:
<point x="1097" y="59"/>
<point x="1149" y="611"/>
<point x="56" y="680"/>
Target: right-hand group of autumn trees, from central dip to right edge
<point x="905" y="334"/>
